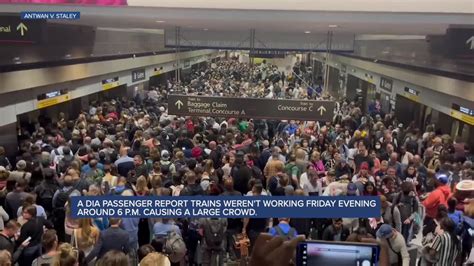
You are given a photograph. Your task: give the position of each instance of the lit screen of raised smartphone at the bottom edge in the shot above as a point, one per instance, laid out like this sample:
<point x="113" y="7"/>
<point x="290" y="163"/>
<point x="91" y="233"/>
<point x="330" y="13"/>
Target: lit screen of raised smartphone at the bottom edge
<point x="336" y="253"/>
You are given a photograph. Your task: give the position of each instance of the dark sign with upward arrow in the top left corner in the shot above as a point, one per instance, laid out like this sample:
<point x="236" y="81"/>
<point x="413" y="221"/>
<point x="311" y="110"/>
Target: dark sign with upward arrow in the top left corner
<point x="16" y="31"/>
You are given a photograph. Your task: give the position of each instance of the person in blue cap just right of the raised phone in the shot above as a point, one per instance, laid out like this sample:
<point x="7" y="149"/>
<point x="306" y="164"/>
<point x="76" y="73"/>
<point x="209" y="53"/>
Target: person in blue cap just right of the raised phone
<point x="398" y="252"/>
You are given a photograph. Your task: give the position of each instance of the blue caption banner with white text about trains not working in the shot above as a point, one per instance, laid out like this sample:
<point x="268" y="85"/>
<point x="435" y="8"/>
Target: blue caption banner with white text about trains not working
<point x="225" y="207"/>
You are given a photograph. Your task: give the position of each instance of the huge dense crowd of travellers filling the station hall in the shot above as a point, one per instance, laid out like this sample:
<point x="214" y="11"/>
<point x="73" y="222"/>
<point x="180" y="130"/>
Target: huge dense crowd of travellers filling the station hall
<point x="127" y="147"/>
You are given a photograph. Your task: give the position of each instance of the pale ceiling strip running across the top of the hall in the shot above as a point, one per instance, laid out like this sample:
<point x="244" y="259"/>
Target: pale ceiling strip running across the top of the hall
<point x="261" y="20"/>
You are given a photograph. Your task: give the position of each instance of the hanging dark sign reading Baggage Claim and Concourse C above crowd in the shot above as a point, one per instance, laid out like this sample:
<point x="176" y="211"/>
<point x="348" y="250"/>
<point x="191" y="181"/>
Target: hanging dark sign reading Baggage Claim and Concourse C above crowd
<point x="251" y="108"/>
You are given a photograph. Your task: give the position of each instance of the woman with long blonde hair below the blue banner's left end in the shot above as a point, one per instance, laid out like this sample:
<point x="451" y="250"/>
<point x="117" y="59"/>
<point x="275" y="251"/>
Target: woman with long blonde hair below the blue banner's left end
<point x="85" y="236"/>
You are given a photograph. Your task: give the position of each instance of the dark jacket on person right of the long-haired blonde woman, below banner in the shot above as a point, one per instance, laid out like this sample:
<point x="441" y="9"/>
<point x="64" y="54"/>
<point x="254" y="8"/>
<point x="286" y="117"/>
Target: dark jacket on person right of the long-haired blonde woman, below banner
<point x="112" y="238"/>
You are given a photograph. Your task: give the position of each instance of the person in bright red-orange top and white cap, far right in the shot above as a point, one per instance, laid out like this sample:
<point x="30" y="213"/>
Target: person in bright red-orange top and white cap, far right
<point x="439" y="196"/>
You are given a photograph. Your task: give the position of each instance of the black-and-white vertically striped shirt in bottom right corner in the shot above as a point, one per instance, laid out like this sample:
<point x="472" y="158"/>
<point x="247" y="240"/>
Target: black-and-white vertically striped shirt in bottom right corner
<point x="446" y="250"/>
